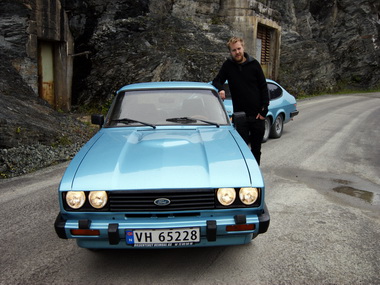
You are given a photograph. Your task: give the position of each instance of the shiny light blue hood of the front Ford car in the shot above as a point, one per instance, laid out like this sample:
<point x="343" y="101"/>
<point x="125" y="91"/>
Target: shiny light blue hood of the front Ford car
<point x="120" y="159"/>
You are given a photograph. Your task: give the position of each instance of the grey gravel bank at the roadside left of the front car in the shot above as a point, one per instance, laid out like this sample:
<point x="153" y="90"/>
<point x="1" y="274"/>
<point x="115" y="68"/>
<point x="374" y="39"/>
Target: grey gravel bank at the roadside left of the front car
<point x="73" y="131"/>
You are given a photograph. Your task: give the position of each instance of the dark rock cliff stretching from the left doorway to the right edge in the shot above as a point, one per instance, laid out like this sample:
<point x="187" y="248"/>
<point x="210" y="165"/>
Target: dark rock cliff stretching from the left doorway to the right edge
<point x="326" y="45"/>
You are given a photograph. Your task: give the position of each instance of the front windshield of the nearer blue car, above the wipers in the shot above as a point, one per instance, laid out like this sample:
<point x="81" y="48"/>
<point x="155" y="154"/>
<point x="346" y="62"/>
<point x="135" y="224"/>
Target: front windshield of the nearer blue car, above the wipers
<point x="167" y="107"/>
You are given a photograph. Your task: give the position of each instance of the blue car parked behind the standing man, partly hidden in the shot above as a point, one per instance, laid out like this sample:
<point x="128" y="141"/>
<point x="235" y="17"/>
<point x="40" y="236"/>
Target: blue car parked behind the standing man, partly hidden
<point x="282" y="108"/>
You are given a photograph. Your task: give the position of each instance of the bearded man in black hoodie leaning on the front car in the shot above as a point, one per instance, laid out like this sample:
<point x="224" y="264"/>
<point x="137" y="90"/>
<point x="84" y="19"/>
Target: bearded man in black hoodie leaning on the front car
<point x="249" y="92"/>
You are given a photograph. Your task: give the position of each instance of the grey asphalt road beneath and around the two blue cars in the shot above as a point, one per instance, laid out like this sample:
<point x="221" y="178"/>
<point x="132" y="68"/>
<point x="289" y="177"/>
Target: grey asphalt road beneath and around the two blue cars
<point x="323" y="193"/>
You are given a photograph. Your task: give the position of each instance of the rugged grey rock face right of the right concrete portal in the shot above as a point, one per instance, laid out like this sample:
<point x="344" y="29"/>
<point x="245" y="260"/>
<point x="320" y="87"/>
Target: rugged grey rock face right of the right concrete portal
<point x="329" y="45"/>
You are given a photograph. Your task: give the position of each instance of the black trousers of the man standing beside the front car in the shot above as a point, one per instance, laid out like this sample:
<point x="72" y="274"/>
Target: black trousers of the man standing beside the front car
<point x="252" y="131"/>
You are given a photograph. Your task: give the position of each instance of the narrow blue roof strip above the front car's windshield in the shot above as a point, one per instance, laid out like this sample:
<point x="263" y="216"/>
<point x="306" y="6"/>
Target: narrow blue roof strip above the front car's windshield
<point x="167" y="85"/>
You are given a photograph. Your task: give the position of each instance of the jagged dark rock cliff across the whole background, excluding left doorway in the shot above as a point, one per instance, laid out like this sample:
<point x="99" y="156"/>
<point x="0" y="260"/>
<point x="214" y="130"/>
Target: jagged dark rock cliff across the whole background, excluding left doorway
<point x="326" y="45"/>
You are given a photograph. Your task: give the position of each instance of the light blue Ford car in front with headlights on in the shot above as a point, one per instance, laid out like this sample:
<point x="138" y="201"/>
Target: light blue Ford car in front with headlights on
<point x="166" y="169"/>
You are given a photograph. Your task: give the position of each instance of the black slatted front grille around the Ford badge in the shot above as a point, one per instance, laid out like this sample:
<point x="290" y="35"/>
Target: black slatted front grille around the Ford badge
<point x="143" y="201"/>
